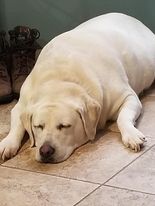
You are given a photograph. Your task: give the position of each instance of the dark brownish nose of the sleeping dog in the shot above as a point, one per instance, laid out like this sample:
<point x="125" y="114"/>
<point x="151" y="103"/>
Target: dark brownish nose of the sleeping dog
<point x="46" y="151"/>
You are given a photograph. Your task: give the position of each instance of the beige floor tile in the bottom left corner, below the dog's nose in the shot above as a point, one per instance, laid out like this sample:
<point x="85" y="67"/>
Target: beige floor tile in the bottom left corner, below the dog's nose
<point x="22" y="188"/>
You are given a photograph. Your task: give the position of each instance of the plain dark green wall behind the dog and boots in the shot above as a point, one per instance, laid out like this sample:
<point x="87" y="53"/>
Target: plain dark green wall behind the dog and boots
<point x="53" y="17"/>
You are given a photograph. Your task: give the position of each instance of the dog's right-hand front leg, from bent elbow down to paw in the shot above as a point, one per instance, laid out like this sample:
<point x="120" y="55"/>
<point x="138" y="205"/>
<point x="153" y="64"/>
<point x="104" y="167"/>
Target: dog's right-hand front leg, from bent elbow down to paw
<point x="128" y="114"/>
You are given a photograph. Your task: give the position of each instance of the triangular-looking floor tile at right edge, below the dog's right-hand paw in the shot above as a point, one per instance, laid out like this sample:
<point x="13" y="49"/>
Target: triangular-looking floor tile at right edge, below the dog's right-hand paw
<point x="140" y="175"/>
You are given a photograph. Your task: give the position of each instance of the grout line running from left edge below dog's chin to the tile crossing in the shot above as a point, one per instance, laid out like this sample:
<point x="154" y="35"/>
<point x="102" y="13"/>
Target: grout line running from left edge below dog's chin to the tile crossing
<point x="51" y="175"/>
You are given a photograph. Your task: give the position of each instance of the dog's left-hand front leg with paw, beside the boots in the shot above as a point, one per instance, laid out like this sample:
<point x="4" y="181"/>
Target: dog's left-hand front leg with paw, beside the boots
<point x="11" y="143"/>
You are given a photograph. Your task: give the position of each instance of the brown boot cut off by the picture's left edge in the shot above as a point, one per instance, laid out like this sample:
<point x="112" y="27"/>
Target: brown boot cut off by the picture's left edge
<point x="5" y="83"/>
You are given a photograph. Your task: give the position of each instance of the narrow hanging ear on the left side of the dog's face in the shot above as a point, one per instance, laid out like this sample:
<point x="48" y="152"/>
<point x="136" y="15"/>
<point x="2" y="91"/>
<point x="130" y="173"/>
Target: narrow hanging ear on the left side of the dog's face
<point x="26" y="118"/>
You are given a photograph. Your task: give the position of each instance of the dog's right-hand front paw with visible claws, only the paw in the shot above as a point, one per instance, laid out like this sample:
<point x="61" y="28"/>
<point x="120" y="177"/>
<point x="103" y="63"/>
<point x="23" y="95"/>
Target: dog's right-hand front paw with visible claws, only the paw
<point x="134" y="139"/>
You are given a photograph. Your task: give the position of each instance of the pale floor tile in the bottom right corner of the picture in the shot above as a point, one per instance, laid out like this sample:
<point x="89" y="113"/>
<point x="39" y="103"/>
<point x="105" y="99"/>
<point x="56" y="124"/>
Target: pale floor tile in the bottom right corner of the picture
<point x="106" y="196"/>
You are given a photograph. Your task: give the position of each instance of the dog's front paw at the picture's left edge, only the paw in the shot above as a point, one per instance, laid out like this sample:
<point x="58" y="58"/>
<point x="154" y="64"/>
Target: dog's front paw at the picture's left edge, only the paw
<point x="8" y="148"/>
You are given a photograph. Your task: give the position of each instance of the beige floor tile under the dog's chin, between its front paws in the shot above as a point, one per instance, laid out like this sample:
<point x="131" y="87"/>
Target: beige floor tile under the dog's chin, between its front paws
<point x="95" y="162"/>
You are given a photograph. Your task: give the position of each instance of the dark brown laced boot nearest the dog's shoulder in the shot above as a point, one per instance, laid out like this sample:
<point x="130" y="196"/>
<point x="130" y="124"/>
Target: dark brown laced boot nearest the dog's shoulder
<point x="23" y="48"/>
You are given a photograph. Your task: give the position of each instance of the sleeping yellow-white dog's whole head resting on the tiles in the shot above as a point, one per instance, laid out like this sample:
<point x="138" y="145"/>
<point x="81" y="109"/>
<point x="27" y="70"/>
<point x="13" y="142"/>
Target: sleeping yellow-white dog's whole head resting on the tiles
<point x="58" y="129"/>
